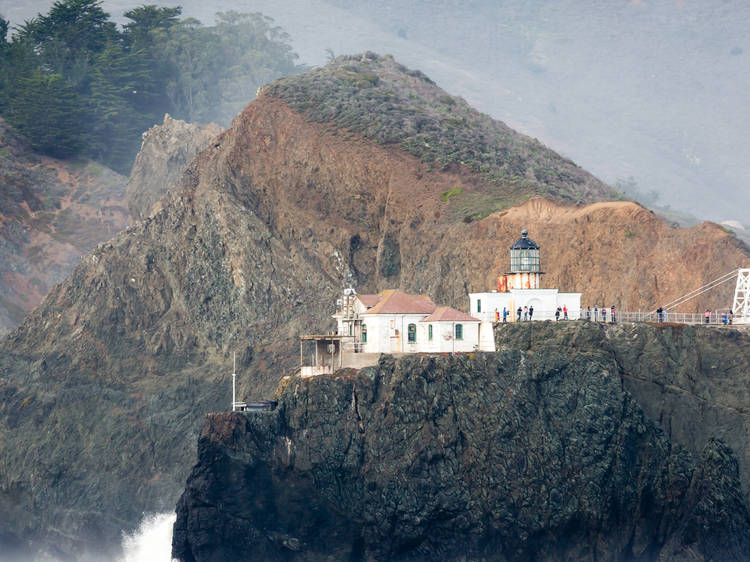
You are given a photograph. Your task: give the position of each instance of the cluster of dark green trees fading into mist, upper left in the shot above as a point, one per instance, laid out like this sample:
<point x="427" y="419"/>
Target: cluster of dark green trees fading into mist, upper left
<point x="74" y="83"/>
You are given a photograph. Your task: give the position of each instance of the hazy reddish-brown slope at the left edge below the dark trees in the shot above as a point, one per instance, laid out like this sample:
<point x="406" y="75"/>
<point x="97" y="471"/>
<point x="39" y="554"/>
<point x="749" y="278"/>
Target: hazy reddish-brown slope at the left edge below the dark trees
<point x="51" y="213"/>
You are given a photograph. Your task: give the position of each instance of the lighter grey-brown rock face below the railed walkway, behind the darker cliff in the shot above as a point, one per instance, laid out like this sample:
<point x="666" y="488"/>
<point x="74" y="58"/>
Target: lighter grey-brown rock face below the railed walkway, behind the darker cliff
<point x="691" y="380"/>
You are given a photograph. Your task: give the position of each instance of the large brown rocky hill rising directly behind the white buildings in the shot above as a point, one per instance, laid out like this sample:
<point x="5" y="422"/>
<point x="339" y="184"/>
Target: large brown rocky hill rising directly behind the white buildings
<point x="268" y="223"/>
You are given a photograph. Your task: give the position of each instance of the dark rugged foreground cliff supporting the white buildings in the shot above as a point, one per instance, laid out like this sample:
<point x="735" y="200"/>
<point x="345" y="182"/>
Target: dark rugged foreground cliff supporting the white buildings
<point x="535" y="452"/>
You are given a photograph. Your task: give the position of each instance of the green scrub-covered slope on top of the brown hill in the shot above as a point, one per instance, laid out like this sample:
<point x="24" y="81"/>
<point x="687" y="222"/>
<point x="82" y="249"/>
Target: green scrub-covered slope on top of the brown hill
<point x="384" y="101"/>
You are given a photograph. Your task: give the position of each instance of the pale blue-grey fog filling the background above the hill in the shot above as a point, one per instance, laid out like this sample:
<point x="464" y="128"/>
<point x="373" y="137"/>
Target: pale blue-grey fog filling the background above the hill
<point x="648" y="94"/>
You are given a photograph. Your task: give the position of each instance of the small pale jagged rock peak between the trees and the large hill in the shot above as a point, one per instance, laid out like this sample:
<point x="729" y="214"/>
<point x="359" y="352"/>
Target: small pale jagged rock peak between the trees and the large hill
<point x="165" y="152"/>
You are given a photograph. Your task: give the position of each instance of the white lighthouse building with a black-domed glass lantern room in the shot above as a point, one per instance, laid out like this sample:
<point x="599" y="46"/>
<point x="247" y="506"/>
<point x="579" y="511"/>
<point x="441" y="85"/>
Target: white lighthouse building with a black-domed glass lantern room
<point x="521" y="287"/>
